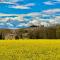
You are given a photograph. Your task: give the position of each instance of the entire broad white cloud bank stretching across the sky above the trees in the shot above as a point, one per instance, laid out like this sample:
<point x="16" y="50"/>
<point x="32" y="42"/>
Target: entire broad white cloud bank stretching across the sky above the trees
<point x="36" y="19"/>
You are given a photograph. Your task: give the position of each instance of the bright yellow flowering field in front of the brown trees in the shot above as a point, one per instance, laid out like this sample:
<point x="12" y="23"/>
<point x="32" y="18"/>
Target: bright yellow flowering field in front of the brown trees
<point x="29" y="49"/>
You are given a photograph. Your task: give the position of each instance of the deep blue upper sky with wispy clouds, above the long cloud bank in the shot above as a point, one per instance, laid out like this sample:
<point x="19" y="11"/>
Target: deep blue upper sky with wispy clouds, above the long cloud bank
<point x="36" y="6"/>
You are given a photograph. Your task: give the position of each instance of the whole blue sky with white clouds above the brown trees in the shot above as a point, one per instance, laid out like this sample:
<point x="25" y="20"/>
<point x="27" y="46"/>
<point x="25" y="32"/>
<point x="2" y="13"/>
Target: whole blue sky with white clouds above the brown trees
<point x="19" y="13"/>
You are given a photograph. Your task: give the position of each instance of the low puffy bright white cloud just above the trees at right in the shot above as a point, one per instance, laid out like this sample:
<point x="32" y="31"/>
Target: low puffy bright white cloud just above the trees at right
<point x="49" y="22"/>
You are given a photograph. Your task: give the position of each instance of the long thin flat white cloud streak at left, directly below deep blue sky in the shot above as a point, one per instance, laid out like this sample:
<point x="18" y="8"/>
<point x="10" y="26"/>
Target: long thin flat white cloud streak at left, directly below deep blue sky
<point x="22" y="15"/>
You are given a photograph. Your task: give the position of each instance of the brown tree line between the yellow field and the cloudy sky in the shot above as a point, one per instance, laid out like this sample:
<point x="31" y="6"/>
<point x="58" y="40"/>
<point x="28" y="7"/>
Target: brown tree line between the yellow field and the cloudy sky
<point x="31" y="33"/>
